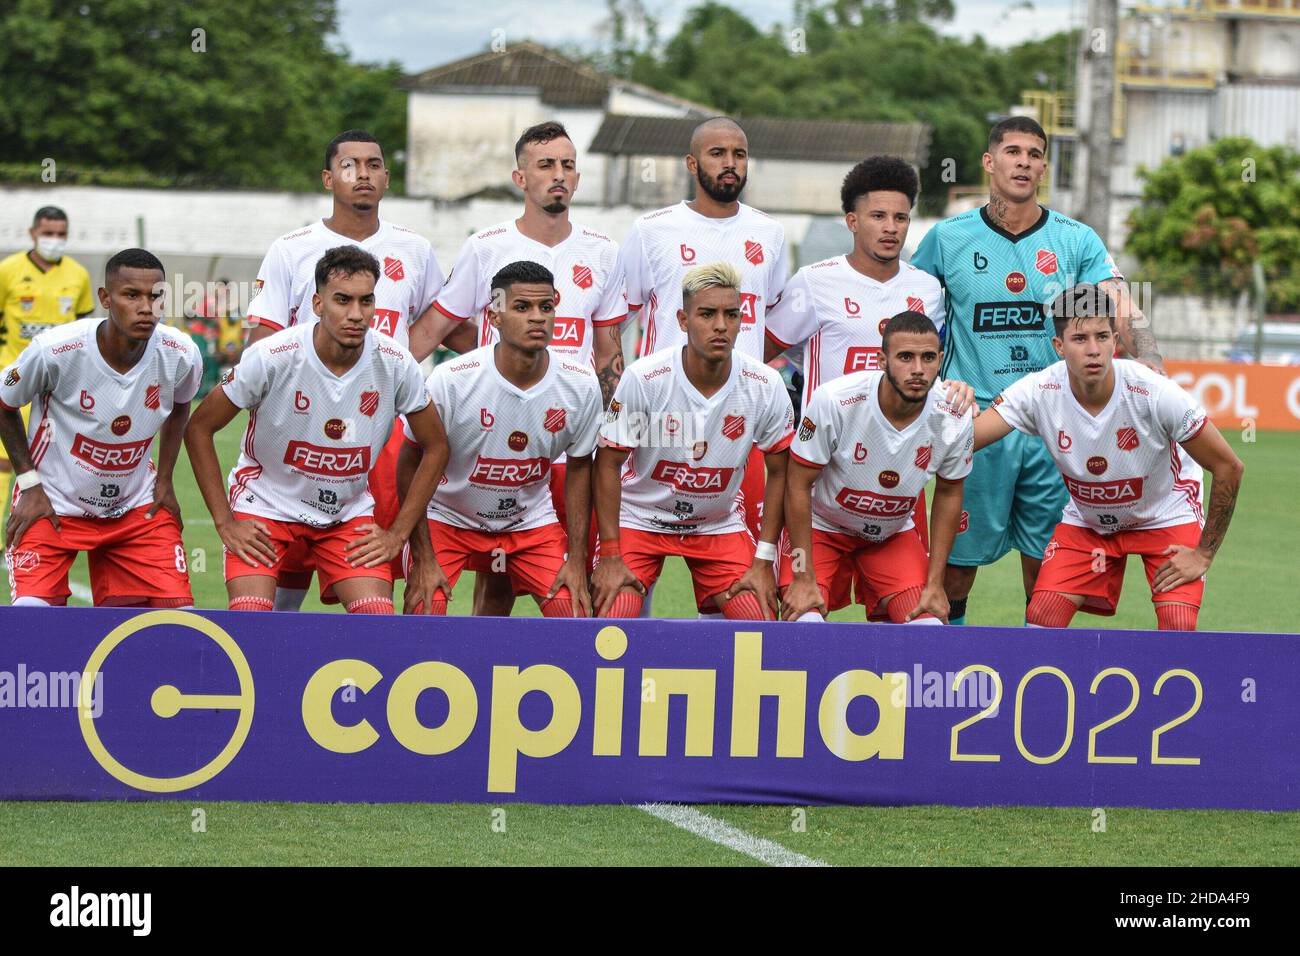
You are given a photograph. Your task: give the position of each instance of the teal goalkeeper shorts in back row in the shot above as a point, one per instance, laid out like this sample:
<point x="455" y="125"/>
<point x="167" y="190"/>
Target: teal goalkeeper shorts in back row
<point x="1013" y="498"/>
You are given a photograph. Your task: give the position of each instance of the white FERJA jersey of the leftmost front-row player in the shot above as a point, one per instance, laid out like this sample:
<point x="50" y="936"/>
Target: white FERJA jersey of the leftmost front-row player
<point x="92" y="427"/>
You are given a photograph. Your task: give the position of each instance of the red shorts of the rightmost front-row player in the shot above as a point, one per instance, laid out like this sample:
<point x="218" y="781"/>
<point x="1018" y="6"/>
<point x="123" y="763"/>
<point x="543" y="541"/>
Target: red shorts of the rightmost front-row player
<point x="1080" y="561"/>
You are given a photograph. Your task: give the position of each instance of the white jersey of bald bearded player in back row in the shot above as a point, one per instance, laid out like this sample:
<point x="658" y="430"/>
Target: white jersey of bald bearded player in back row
<point x="664" y="245"/>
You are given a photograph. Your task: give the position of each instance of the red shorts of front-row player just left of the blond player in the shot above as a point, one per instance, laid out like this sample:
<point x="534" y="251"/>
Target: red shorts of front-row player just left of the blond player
<point x="531" y="559"/>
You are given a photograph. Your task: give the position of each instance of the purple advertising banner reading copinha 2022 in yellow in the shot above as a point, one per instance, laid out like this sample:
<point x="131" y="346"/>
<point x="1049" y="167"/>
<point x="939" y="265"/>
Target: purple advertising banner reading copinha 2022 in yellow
<point x="98" y="704"/>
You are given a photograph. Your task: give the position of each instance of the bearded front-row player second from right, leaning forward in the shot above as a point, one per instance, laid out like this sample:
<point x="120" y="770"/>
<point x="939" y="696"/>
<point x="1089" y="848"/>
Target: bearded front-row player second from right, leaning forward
<point x="868" y="445"/>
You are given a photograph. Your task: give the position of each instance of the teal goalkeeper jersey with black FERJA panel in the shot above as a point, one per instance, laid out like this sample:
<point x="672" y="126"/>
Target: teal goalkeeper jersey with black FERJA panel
<point x="999" y="291"/>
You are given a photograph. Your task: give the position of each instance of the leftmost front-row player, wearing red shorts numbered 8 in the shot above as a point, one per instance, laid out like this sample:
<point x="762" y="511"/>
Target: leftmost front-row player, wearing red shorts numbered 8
<point x="105" y="390"/>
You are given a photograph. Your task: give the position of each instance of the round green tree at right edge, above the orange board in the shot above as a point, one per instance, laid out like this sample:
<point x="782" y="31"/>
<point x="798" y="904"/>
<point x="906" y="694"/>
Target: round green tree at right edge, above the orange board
<point x="1208" y="215"/>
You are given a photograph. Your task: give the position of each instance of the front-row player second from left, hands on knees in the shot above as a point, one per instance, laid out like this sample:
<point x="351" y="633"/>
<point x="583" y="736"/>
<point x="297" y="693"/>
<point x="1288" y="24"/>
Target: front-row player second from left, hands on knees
<point x="323" y="399"/>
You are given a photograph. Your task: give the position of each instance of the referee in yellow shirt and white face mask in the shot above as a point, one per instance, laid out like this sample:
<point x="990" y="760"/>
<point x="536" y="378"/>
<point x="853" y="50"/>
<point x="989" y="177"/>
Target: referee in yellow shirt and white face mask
<point x="40" y="289"/>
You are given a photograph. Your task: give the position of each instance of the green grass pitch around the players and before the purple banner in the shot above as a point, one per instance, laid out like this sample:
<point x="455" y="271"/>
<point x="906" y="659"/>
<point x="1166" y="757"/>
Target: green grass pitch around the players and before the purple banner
<point x="1246" y="591"/>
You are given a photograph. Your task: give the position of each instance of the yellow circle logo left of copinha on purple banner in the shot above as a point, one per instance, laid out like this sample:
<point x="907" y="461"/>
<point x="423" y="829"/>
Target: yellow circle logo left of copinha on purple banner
<point x="168" y="702"/>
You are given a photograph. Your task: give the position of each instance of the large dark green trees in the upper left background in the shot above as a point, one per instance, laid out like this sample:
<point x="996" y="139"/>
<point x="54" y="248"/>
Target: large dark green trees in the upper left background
<point x="222" y="93"/>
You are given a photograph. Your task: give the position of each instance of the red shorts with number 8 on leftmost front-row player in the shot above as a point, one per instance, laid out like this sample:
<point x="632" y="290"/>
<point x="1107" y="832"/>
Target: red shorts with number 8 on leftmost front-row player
<point x="132" y="560"/>
